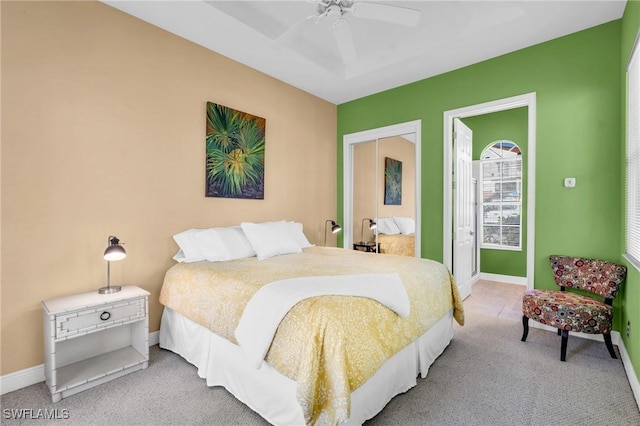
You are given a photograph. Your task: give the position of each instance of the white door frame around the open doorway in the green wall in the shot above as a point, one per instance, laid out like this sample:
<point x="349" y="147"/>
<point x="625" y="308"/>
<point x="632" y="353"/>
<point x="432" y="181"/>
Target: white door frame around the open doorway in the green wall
<point x="449" y="248"/>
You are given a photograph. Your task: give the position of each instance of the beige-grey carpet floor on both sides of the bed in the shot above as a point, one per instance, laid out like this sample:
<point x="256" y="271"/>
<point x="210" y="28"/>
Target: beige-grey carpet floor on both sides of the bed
<point x="485" y="377"/>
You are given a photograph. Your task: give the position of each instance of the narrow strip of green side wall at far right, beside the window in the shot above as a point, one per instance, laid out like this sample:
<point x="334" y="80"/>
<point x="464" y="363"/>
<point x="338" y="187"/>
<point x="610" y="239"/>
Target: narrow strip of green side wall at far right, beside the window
<point x="630" y="292"/>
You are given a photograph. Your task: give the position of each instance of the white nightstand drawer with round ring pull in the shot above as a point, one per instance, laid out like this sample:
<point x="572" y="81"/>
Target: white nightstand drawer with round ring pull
<point x="99" y="317"/>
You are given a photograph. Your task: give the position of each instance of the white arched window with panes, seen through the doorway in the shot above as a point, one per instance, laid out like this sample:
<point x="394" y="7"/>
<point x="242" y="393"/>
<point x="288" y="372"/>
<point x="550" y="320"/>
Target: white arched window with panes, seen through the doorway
<point x="501" y="183"/>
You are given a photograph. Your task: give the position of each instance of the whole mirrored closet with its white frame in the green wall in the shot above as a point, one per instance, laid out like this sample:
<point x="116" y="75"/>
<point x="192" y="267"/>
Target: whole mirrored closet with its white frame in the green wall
<point x="364" y="187"/>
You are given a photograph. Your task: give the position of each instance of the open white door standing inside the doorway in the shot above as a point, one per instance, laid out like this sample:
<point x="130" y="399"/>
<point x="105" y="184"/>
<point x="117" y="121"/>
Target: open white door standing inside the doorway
<point x="463" y="208"/>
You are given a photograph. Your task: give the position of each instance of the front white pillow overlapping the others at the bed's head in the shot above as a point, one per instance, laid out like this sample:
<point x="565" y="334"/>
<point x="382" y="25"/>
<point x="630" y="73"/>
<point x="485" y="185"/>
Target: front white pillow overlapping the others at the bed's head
<point x="270" y="239"/>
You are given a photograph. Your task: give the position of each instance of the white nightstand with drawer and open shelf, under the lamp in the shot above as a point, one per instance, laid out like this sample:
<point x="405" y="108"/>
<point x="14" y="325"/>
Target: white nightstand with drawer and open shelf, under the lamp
<point x="92" y="338"/>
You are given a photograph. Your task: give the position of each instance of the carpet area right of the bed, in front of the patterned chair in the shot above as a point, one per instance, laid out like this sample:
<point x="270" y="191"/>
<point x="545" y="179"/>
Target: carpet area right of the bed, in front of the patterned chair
<point x="488" y="377"/>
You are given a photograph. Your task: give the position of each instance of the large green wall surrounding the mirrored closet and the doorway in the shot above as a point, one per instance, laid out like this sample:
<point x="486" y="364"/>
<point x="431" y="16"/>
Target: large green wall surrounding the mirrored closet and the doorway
<point x="579" y="86"/>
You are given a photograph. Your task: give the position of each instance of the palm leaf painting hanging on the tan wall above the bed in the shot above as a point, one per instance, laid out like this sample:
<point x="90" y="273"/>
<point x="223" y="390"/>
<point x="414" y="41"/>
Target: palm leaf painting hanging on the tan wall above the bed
<point x="235" y="153"/>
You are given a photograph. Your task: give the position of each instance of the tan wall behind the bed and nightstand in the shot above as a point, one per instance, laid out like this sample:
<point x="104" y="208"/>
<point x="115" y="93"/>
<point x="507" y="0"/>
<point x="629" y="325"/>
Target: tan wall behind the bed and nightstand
<point x="103" y="132"/>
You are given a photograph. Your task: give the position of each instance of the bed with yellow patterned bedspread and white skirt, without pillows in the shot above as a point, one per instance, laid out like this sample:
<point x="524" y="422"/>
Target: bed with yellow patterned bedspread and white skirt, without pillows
<point x="333" y="358"/>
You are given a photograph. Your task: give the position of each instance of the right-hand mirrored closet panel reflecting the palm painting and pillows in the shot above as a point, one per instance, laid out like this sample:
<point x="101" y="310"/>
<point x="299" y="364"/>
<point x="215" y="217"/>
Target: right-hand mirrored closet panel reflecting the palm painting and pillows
<point x="396" y="195"/>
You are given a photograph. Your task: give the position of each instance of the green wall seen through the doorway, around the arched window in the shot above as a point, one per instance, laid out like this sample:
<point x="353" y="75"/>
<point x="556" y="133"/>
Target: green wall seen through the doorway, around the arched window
<point x="510" y="125"/>
